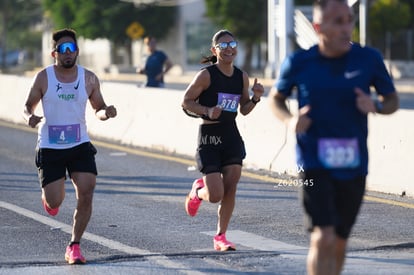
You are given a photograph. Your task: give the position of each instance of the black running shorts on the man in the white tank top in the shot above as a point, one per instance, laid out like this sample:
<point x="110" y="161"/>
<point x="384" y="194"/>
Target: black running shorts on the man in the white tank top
<point x="53" y="163"/>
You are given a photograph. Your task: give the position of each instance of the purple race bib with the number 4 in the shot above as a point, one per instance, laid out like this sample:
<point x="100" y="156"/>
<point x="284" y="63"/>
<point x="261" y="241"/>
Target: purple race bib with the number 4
<point x="64" y="134"/>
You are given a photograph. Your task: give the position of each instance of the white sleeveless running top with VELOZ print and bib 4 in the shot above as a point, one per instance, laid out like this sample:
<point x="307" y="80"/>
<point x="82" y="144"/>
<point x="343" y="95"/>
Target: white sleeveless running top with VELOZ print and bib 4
<point x="64" y="104"/>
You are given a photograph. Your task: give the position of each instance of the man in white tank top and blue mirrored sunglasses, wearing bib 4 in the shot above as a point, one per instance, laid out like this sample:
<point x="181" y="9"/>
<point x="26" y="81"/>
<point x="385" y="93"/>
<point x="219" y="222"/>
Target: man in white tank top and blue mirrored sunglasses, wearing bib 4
<point x="63" y="142"/>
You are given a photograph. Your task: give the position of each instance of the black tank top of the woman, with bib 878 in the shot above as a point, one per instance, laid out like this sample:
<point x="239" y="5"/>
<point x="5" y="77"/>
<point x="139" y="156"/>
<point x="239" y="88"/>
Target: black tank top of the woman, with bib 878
<point x="223" y="90"/>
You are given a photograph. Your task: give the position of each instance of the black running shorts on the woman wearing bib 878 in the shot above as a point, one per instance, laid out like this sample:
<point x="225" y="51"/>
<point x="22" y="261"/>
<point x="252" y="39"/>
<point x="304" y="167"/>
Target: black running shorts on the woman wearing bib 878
<point x="219" y="145"/>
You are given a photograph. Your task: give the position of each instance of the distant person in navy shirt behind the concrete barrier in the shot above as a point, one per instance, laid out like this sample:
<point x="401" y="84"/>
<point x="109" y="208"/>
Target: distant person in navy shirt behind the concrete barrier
<point x="156" y="65"/>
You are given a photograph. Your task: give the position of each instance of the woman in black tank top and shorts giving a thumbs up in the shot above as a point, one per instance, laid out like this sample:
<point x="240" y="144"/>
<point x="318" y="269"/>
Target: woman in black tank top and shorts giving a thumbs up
<point x="216" y="94"/>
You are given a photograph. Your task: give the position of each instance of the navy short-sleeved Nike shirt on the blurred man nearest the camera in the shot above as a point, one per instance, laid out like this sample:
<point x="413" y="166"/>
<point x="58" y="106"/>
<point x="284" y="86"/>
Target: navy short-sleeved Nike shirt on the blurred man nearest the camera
<point x="337" y="138"/>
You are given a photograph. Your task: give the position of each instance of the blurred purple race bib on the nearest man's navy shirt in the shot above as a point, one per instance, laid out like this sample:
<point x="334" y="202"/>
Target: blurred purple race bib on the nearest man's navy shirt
<point x="338" y="152"/>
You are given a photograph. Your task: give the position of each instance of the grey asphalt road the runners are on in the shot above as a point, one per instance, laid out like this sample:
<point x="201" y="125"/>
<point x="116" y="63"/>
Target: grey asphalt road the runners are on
<point x="139" y="225"/>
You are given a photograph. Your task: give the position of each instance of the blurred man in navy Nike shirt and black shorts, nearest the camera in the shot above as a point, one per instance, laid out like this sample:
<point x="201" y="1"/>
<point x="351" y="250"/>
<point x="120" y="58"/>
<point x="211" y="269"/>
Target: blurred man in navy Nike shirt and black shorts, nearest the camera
<point x="333" y="80"/>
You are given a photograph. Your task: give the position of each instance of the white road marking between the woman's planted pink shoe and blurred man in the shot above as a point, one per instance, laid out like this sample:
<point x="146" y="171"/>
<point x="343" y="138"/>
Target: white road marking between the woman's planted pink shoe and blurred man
<point x="260" y="243"/>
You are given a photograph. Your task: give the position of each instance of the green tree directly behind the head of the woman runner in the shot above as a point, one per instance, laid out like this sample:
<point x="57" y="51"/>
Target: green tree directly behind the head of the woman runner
<point x="247" y="20"/>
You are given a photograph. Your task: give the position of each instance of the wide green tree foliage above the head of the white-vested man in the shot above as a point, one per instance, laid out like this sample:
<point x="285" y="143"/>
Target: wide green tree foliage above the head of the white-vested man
<point x="110" y="18"/>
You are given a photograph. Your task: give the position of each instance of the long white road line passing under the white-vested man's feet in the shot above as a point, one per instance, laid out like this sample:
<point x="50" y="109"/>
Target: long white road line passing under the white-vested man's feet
<point x="156" y="258"/>
